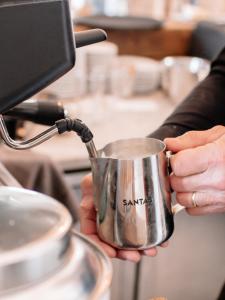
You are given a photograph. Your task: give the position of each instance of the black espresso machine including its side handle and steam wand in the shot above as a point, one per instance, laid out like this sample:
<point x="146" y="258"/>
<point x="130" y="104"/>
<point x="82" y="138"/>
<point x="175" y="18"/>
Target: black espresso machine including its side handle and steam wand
<point x="38" y="47"/>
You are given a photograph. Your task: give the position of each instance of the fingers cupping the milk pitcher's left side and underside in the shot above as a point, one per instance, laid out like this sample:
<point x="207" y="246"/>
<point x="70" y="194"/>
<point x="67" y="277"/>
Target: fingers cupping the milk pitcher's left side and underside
<point x="88" y="226"/>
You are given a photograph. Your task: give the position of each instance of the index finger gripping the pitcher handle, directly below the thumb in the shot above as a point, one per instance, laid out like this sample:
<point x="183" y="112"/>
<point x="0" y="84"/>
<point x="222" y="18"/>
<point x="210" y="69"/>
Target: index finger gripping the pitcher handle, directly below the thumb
<point x="193" y="161"/>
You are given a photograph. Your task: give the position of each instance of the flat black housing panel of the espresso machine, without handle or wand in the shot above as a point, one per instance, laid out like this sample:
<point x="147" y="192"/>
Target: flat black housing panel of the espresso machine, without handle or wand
<point x="36" y="47"/>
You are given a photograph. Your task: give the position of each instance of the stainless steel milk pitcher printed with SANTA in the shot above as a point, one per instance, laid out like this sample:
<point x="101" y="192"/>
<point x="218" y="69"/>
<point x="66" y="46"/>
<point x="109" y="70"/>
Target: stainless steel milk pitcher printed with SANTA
<point x="132" y="193"/>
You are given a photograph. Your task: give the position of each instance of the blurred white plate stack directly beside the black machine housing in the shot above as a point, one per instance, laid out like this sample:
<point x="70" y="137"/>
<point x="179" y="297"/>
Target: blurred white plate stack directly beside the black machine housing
<point x="90" y="73"/>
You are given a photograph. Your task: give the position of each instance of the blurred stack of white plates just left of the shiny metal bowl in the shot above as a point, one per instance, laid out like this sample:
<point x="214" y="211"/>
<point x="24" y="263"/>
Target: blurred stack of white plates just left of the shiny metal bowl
<point x="143" y="74"/>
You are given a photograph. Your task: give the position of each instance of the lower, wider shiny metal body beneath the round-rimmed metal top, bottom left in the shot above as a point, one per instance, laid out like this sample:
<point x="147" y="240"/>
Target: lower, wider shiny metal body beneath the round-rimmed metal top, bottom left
<point x="85" y="274"/>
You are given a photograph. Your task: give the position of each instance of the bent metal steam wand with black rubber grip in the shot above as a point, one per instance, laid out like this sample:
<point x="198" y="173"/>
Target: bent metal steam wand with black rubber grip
<point x="61" y="126"/>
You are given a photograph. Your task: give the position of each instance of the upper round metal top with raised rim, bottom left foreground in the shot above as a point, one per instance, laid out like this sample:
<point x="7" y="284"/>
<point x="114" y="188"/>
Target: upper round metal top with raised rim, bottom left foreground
<point x="34" y="237"/>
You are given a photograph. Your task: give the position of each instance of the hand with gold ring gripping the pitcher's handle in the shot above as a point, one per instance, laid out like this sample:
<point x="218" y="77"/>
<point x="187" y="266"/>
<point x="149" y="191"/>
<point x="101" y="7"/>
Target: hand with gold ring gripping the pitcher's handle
<point x="198" y="167"/>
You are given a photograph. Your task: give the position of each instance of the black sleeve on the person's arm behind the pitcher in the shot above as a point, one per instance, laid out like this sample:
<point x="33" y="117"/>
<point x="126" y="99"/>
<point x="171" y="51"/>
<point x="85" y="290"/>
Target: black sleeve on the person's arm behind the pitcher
<point x="202" y="109"/>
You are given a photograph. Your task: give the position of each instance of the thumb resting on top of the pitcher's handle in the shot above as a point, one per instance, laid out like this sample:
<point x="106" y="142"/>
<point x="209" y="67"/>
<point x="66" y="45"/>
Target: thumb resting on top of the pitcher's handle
<point x="192" y="139"/>
